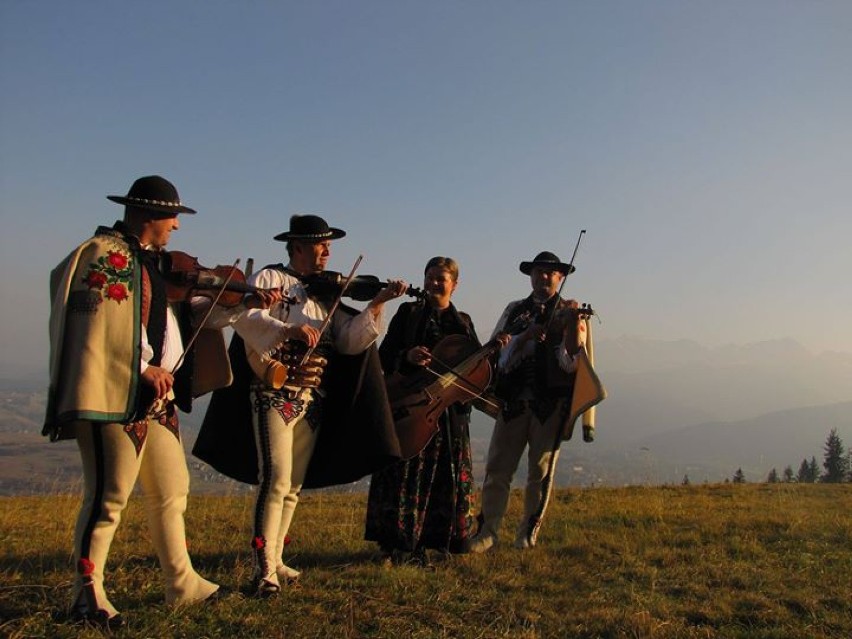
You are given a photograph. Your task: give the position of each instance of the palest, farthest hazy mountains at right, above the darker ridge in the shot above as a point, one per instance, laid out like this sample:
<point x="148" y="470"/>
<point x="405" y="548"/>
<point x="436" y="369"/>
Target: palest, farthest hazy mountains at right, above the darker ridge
<point x="657" y="386"/>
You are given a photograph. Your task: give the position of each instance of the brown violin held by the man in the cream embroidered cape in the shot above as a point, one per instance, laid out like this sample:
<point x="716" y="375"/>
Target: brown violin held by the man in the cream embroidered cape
<point x="186" y="278"/>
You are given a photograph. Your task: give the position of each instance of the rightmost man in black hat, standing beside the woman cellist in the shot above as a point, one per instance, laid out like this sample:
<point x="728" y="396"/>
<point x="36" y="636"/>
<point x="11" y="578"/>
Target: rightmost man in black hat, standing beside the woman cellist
<point x="535" y="381"/>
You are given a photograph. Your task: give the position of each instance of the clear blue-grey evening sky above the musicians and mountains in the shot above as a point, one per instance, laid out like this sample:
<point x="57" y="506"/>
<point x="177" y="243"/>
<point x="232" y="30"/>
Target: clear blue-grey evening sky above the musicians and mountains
<point x="705" y="146"/>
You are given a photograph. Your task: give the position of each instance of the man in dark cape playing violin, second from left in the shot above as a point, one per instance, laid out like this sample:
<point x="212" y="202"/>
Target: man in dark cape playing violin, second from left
<point x="290" y="401"/>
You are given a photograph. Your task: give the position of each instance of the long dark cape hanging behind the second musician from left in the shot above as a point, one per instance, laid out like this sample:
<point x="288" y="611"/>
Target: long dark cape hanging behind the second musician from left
<point x="356" y="438"/>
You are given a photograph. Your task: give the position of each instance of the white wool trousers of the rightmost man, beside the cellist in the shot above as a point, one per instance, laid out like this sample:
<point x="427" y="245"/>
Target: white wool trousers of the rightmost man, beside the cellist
<point x="508" y="441"/>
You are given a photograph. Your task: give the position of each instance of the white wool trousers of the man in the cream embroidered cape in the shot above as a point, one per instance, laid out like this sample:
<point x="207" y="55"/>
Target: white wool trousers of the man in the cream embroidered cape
<point x="111" y="466"/>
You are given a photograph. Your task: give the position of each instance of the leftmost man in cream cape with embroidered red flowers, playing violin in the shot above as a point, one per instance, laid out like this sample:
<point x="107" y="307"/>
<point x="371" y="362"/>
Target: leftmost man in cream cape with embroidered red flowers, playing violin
<point x="117" y="344"/>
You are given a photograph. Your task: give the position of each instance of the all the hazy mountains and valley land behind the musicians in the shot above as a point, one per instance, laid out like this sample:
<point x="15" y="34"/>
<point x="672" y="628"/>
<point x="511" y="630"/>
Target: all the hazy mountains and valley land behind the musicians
<point x="675" y="409"/>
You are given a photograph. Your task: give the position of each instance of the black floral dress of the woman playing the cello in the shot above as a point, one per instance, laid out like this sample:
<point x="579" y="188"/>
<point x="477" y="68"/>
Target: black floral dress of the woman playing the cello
<point x="426" y="501"/>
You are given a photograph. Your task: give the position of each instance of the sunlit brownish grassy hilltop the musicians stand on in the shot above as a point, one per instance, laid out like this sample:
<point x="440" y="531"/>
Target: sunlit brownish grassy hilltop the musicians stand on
<point x="753" y="560"/>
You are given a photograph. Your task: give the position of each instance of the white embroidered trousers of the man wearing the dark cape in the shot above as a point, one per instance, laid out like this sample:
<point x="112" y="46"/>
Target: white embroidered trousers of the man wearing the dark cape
<point x="285" y="442"/>
